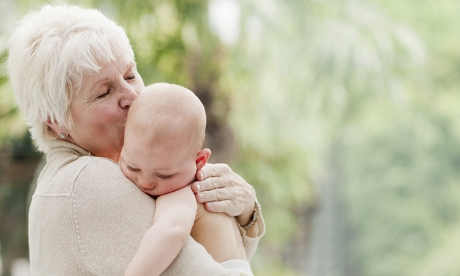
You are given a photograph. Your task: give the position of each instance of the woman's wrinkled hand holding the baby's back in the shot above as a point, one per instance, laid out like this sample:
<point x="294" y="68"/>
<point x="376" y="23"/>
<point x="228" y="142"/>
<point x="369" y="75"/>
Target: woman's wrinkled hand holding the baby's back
<point x="222" y="190"/>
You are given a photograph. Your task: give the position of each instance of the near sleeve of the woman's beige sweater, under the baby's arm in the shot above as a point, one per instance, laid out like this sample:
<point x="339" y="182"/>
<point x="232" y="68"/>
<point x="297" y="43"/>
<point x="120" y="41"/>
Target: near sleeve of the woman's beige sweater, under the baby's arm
<point x="110" y="217"/>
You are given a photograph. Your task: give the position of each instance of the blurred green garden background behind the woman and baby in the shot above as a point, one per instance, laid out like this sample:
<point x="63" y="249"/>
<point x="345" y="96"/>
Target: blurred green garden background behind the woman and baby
<point x="342" y="114"/>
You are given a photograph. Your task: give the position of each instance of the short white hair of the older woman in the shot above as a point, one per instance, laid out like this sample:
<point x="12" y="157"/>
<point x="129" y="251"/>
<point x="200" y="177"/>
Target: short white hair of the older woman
<point x="49" y="51"/>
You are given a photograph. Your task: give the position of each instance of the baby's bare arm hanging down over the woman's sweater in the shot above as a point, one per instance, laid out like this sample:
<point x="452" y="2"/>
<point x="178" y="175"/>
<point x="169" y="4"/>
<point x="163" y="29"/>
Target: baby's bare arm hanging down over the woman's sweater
<point x="173" y="221"/>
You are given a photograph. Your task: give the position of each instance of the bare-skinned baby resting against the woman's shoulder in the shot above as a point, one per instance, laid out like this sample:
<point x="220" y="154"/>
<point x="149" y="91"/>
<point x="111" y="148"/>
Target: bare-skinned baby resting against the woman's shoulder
<point x="162" y="153"/>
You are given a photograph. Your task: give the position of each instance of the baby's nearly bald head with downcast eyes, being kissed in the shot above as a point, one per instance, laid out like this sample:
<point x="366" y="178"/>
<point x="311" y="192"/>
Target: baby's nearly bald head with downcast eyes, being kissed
<point x="164" y="136"/>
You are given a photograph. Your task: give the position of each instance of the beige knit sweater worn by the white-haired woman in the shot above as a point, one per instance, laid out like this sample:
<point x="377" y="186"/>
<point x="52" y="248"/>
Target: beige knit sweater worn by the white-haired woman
<point x="87" y="218"/>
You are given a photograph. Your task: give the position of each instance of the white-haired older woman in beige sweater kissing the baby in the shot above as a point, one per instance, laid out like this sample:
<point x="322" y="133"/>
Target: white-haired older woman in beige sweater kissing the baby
<point x="74" y="76"/>
